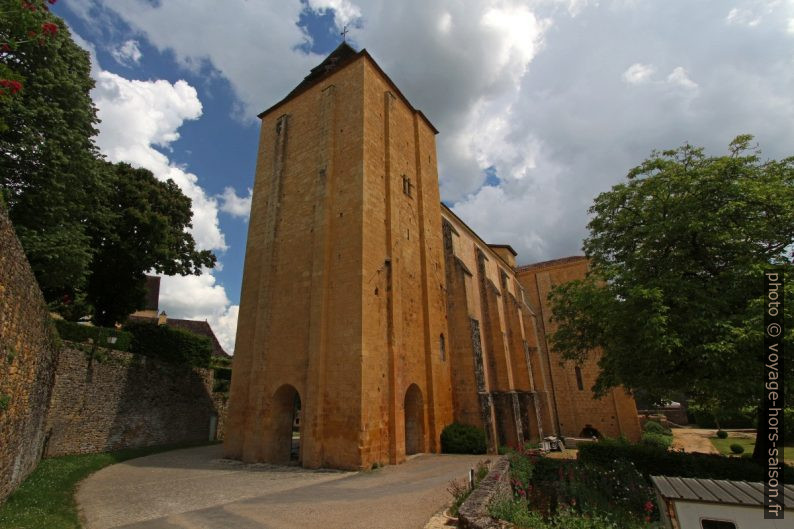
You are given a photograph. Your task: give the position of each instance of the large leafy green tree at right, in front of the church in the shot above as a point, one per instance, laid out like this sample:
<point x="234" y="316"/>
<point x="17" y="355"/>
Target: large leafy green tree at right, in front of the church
<point x="674" y="296"/>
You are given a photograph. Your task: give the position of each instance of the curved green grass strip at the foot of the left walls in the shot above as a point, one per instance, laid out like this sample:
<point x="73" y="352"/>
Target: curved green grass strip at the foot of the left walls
<point x="45" y="500"/>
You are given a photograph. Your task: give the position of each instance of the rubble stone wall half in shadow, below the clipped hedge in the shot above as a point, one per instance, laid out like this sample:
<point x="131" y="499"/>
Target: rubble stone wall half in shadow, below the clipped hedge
<point x="126" y="400"/>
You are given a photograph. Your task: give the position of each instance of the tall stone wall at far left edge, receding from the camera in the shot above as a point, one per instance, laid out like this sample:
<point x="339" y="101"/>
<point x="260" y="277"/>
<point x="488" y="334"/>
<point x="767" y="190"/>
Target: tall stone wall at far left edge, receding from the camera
<point x="28" y="352"/>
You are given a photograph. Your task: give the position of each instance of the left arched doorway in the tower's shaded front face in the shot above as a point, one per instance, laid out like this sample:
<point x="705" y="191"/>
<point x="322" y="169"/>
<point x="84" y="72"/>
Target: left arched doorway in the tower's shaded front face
<point x="286" y="420"/>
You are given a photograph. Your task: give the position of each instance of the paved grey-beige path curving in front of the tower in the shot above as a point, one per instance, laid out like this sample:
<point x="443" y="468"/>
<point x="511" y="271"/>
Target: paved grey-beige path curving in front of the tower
<point x="195" y="488"/>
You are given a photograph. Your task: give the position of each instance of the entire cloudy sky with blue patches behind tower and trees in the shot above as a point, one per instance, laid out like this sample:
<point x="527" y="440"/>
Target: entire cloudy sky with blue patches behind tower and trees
<point x="540" y="104"/>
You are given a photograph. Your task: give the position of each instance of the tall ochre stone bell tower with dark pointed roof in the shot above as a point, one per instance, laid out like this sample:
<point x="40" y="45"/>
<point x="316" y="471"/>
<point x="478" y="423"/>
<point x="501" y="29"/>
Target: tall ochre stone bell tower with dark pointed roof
<point x="342" y="311"/>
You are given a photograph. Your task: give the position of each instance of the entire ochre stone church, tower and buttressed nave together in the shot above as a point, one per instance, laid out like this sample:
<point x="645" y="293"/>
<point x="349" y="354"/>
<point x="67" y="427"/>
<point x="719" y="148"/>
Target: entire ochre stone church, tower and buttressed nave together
<point x="374" y="310"/>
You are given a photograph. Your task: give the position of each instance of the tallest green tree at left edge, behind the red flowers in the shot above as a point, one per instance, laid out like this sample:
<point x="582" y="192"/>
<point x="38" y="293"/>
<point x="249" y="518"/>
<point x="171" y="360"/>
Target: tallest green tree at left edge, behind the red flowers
<point x="48" y="174"/>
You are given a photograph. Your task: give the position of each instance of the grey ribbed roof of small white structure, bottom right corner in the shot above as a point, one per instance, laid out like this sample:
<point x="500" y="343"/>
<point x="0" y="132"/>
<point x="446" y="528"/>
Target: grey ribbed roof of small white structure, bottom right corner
<point x="717" y="491"/>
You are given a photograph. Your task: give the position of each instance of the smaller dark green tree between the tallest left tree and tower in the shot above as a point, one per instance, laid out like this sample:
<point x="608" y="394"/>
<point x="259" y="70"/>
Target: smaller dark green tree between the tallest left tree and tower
<point x="142" y="227"/>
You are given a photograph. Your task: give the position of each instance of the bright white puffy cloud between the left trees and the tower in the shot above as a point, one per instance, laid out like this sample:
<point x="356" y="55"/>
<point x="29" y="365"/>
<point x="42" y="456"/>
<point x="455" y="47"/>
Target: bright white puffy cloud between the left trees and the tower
<point x="137" y="116"/>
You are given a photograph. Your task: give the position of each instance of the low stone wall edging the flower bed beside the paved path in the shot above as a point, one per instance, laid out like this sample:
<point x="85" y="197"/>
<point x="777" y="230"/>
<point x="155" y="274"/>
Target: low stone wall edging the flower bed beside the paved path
<point x="473" y="514"/>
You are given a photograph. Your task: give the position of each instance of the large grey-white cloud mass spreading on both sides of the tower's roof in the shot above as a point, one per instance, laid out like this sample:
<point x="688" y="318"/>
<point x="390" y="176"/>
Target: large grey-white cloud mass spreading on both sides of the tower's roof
<point x="531" y="89"/>
